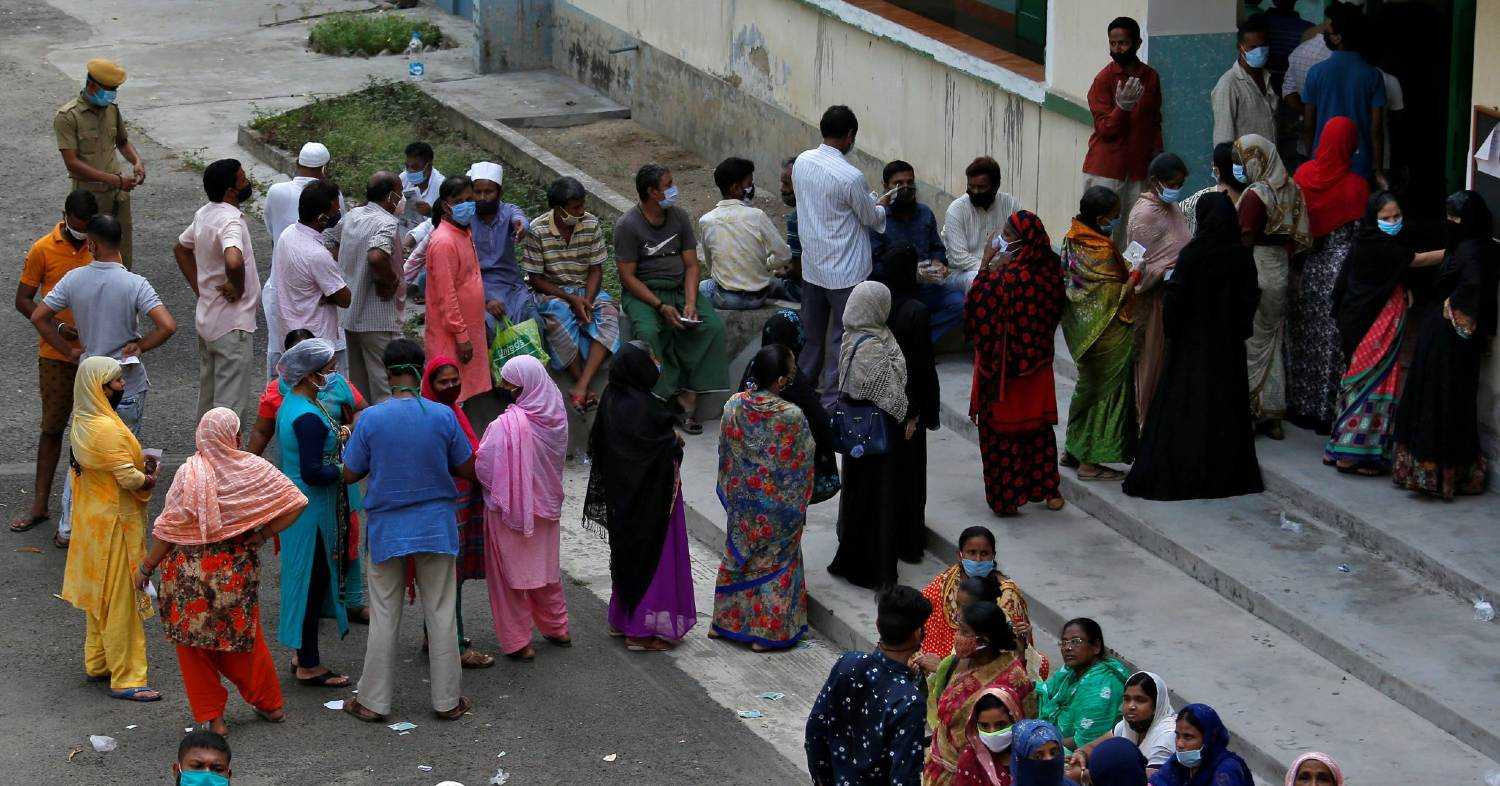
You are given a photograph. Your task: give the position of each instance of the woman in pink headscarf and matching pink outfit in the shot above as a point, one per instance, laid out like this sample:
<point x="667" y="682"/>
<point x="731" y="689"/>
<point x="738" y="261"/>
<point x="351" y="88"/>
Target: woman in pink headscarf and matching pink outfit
<point x="520" y="464"/>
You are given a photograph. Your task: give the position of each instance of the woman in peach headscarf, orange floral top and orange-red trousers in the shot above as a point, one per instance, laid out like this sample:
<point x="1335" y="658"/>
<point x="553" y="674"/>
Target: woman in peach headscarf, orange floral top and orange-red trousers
<point x="221" y="508"/>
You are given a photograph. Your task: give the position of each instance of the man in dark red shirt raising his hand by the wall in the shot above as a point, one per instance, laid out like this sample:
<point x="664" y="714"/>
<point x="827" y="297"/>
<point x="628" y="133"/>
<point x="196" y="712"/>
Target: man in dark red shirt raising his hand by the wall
<point x="1126" y="101"/>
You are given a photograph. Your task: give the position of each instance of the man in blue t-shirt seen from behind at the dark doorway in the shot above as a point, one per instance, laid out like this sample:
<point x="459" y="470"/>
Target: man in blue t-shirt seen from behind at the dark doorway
<point x="1346" y="85"/>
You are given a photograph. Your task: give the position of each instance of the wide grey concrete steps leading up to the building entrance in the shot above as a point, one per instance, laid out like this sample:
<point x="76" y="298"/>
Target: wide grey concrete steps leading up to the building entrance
<point x="1384" y="667"/>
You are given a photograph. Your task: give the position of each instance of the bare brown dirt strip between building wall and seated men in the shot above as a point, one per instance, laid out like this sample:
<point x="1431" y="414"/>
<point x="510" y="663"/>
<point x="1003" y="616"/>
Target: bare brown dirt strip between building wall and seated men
<point x="613" y="151"/>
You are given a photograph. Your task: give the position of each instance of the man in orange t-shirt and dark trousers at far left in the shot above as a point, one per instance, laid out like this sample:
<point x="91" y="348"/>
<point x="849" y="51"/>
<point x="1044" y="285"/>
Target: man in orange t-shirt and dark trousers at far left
<point x="52" y="257"/>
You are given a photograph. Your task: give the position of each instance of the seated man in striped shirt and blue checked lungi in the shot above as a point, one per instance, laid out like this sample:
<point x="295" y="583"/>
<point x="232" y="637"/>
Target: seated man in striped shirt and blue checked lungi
<point x="563" y="257"/>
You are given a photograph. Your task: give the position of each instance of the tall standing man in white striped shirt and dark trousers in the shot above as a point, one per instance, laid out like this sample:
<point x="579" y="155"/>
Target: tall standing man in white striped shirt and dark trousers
<point x="835" y="211"/>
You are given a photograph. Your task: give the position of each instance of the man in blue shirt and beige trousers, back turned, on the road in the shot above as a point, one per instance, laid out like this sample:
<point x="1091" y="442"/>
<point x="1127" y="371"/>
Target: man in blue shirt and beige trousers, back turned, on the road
<point x="410" y="449"/>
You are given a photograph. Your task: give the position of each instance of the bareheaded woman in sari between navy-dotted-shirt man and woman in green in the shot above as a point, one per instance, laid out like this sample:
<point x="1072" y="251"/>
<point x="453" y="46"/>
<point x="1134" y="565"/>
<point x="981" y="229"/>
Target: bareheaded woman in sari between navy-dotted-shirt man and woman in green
<point x="986" y="655"/>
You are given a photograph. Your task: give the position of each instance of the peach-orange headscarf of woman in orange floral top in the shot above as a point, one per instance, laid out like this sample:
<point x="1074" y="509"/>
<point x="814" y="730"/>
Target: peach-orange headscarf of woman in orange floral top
<point x="221" y="491"/>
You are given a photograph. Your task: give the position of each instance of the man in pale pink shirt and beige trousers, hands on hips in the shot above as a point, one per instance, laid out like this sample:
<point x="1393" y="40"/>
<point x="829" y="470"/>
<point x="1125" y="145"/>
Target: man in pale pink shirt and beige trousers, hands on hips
<point x="218" y="262"/>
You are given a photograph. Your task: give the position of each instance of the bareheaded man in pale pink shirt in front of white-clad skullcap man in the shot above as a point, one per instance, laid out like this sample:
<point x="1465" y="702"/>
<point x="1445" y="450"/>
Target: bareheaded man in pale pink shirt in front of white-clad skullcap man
<point x="310" y="284"/>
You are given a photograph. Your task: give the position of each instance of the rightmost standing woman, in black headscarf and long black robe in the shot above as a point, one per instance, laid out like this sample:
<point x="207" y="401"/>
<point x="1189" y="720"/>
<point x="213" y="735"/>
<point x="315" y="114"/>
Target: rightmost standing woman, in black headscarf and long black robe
<point x="1438" y="422"/>
